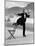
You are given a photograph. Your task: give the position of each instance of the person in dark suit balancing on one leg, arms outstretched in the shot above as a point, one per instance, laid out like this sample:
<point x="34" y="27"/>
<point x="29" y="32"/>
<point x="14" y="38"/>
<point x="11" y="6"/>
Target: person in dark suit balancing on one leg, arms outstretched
<point x="22" y="20"/>
